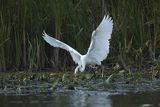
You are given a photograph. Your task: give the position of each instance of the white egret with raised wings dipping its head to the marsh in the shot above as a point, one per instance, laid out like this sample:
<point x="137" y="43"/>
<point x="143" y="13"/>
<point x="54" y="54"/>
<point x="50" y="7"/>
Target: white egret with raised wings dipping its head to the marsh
<point x="98" y="49"/>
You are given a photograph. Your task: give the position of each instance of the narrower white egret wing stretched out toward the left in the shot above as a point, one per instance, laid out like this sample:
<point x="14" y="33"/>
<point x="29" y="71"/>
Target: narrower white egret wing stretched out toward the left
<point x="56" y="43"/>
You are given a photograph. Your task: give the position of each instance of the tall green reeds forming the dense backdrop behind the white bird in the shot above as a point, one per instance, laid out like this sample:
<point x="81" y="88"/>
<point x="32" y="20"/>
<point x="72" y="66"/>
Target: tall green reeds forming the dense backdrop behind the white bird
<point x="134" y="43"/>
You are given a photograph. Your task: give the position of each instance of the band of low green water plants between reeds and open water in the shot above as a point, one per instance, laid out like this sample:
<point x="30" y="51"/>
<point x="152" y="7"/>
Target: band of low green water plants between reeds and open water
<point x="34" y="82"/>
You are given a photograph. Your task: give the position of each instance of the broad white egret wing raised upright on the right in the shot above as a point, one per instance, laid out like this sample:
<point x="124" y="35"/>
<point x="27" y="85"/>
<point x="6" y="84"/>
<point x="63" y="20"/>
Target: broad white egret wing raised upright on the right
<point x="99" y="46"/>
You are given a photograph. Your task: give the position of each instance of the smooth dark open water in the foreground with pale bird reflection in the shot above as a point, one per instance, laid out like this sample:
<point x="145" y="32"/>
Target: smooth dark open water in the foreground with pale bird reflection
<point x="83" y="99"/>
